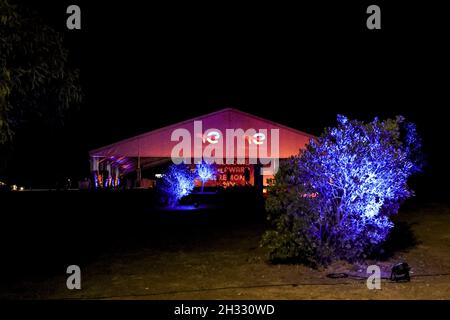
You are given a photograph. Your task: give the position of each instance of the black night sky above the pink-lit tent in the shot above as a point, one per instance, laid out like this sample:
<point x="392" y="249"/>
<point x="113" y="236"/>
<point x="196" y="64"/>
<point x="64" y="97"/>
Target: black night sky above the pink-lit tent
<point x="144" y="66"/>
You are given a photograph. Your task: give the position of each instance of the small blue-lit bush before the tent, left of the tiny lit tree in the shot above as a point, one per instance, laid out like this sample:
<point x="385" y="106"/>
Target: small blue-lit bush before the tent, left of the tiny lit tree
<point x="177" y="182"/>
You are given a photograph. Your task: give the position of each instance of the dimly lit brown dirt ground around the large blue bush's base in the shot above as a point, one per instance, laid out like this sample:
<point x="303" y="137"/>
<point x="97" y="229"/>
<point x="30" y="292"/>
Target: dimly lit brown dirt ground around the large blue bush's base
<point x="227" y="263"/>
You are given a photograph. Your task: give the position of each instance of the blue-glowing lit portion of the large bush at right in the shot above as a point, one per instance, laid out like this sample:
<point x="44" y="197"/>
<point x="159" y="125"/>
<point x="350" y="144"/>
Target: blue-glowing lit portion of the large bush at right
<point x="359" y="173"/>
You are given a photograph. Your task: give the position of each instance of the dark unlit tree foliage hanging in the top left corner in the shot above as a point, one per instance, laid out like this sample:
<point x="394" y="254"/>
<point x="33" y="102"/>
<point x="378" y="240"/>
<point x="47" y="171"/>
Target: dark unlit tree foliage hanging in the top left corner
<point x="35" y="80"/>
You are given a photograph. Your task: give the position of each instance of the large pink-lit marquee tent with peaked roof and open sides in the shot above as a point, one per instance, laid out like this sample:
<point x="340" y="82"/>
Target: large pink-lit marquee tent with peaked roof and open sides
<point x="156" y="147"/>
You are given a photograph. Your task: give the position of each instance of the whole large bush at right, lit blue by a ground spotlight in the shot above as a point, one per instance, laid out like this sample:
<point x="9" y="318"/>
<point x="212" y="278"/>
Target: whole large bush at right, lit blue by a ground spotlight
<point x="334" y="200"/>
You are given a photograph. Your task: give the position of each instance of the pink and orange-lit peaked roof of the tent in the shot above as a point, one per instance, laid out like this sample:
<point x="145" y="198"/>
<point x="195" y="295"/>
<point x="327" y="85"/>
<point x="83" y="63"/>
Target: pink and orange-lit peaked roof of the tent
<point x="157" y="143"/>
